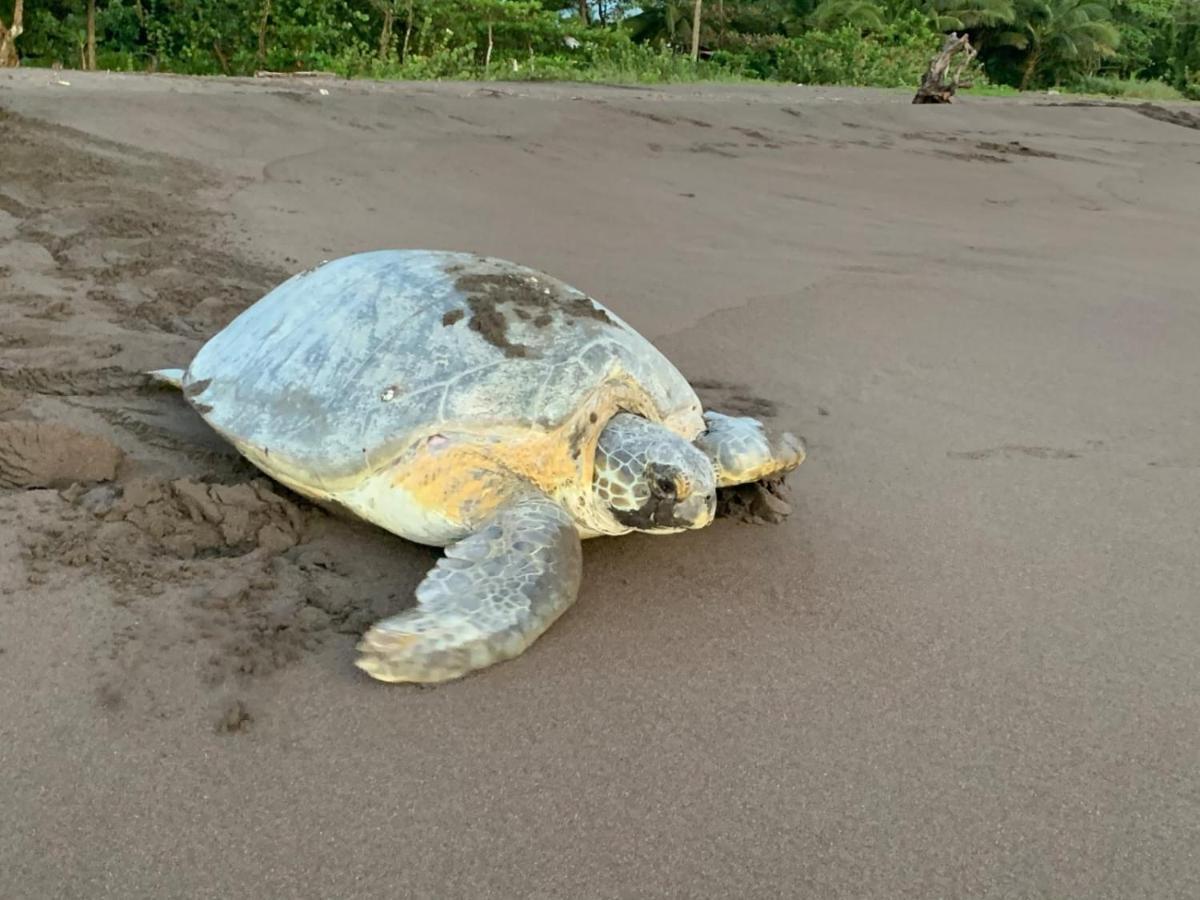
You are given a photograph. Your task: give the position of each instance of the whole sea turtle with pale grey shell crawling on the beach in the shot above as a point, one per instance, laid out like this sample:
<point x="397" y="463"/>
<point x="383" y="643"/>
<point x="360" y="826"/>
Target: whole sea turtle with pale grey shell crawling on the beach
<point x="476" y="405"/>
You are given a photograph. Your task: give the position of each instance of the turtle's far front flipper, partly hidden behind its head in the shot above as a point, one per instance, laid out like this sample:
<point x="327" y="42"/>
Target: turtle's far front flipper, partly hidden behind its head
<point x="743" y="451"/>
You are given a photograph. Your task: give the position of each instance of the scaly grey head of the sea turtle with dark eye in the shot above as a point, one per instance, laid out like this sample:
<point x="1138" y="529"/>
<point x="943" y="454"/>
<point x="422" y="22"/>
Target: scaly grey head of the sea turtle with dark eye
<point x="651" y="479"/>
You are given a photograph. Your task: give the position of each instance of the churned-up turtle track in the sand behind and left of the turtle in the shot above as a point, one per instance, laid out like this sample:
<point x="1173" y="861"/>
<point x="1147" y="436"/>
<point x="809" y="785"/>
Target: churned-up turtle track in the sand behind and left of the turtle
<point x="193" y="560"/>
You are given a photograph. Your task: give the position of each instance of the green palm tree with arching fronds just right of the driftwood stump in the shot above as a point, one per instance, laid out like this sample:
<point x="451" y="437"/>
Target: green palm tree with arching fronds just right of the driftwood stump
<point x="1060" y="35"/>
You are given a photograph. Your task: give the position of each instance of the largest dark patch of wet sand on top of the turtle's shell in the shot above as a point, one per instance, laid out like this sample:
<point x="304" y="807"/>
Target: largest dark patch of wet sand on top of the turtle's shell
<point x="529" y="301"/>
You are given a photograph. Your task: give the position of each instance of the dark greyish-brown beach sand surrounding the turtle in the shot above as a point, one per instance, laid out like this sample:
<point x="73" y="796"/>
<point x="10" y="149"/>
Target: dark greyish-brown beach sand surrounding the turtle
<point x="964" y="668"/>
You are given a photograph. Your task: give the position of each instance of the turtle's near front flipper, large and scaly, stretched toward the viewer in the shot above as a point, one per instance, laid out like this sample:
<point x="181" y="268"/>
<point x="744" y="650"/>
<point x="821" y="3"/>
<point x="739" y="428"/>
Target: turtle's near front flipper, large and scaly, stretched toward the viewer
<point x="488" y="599"/>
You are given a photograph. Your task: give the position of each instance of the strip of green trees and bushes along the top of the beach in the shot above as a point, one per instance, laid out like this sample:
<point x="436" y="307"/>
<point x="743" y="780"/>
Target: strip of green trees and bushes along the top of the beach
<point x="1138" y="49"/>
